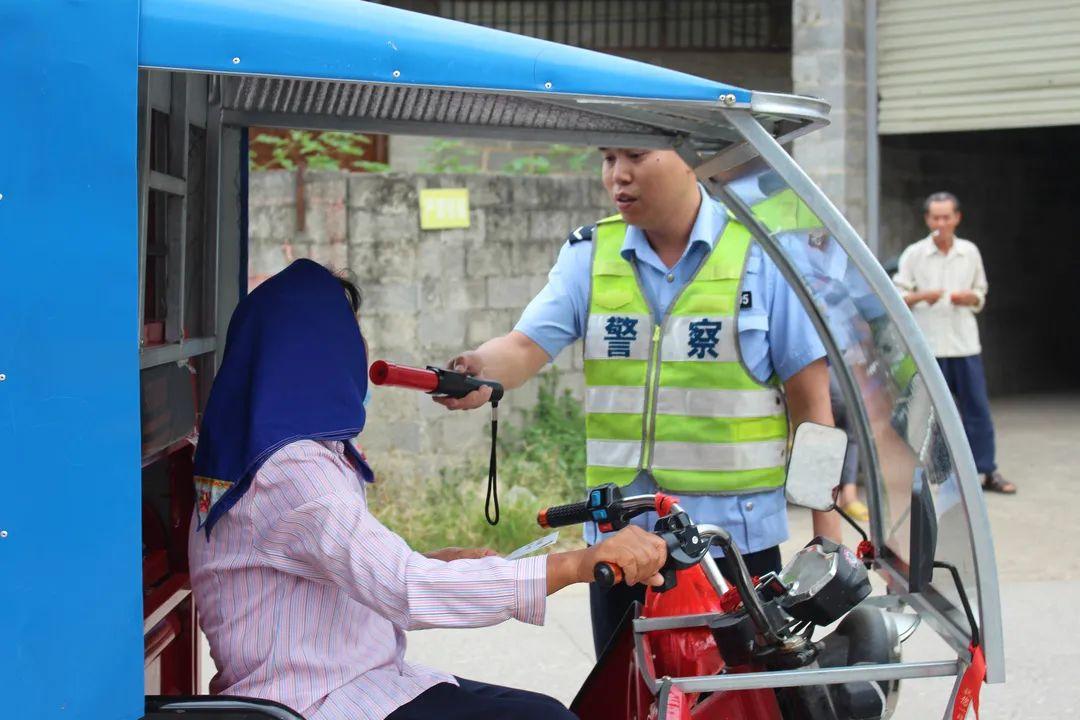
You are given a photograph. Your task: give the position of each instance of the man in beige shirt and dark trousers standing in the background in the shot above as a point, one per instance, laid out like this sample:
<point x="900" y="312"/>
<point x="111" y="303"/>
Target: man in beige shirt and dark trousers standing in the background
<point x="944" y="284"/>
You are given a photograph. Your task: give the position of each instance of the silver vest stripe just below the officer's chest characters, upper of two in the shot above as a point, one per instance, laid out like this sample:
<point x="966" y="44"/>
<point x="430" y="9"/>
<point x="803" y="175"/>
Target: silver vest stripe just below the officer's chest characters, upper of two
<point x="687" y="402"/>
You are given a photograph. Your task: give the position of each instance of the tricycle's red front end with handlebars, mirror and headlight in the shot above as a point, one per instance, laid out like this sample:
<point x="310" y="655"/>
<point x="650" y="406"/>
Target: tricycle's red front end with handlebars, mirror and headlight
<point x="745" y="649"/>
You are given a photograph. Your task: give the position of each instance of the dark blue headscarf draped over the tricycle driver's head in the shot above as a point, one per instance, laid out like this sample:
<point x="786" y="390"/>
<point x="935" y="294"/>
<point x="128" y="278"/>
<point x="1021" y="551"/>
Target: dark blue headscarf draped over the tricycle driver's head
<point x="294" y="369"/>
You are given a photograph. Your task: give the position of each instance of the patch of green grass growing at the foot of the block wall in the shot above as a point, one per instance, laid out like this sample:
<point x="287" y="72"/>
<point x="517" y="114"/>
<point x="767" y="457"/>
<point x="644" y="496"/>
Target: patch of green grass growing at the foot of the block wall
<point x="542" y="464"/>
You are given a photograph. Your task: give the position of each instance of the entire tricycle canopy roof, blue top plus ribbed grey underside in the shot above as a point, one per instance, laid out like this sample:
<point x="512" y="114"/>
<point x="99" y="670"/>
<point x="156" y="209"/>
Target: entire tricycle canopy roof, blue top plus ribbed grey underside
<point x="366" y="67"/>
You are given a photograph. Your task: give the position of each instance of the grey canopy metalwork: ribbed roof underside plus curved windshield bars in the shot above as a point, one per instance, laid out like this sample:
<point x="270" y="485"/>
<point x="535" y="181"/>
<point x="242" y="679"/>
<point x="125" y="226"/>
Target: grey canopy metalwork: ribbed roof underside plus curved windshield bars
<point x="714" y="138"/>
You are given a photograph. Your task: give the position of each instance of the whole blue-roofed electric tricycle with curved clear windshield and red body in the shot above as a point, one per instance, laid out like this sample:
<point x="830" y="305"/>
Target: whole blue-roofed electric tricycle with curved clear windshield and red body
<point x="124" y="236"/>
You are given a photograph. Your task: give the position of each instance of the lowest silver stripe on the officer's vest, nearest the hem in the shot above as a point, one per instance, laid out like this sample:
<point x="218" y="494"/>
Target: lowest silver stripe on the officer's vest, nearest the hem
<point x="690" y="456"/>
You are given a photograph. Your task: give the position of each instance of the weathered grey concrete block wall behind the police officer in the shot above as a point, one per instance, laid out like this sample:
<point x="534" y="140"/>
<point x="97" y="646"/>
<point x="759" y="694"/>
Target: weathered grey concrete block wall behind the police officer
<point x="428" y="295"/>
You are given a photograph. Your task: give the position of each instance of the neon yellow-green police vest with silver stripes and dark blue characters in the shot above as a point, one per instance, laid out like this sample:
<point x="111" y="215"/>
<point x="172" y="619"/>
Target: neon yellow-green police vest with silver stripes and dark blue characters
<point x="674" y="399"/>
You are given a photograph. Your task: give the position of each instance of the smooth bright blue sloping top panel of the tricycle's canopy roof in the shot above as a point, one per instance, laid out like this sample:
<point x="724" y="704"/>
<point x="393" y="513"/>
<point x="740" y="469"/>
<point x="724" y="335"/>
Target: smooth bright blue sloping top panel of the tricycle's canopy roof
<point x="368" y="43"/>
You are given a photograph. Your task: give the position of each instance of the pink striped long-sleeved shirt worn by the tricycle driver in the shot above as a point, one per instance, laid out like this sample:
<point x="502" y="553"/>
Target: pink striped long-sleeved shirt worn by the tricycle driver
<point x="306" y="597"/>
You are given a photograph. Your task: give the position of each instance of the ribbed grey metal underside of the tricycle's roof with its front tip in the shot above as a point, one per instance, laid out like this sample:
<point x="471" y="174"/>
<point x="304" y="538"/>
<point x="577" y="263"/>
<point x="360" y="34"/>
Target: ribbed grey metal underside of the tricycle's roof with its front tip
<point x="588" y="120"/>
